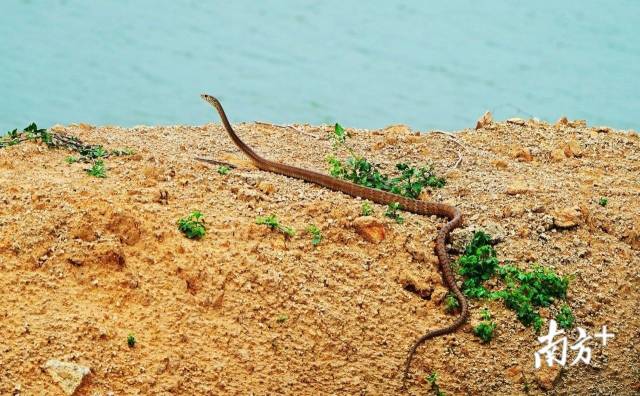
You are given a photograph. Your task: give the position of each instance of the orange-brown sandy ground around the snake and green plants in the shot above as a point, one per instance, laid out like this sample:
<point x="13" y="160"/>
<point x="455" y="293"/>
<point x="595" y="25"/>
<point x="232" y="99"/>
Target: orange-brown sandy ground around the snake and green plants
<point x="84" y="262"/>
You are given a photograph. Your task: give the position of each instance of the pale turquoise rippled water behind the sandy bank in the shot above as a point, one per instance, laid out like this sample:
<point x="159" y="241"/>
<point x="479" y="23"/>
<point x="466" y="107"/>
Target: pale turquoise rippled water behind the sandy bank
<point x="364" y="64"/>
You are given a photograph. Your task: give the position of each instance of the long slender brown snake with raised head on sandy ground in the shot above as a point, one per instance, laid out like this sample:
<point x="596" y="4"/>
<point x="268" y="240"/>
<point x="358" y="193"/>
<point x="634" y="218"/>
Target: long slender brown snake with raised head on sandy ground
<point x="453" y="214"/>
